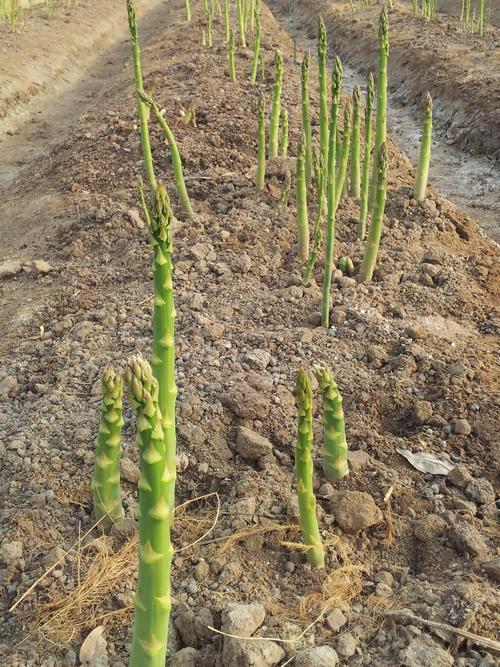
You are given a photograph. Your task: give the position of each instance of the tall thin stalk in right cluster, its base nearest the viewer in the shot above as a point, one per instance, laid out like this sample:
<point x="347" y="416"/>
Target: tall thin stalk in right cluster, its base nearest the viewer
<point x="331" y="192"/>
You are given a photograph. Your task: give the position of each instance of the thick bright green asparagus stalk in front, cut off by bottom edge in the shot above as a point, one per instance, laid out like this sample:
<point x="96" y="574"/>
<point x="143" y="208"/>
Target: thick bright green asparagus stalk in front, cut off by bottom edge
<point x="152" y="600"/>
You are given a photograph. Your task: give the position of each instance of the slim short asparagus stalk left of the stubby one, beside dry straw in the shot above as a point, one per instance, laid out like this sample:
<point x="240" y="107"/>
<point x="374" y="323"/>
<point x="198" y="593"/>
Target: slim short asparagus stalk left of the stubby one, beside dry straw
<point x="304" y="473"/>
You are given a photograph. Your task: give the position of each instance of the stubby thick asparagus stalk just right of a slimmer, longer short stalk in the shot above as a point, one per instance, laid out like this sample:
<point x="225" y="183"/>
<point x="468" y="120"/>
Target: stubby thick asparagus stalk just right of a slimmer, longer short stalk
<point x="335" y="464"/>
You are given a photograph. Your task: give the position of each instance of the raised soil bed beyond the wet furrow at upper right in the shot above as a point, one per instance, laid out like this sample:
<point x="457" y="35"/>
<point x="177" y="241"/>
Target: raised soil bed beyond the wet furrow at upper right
<point x="459" y="70"/>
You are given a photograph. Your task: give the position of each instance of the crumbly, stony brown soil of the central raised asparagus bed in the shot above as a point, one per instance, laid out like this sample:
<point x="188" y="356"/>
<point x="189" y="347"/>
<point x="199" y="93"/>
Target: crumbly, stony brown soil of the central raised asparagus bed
<point x="413" y="353"/>
